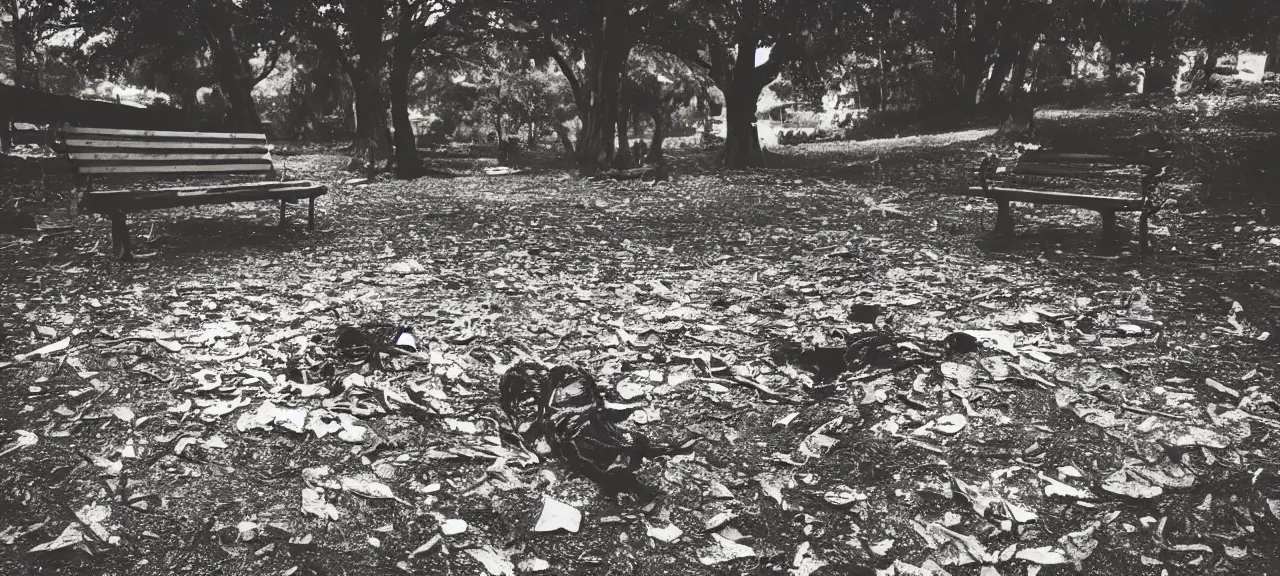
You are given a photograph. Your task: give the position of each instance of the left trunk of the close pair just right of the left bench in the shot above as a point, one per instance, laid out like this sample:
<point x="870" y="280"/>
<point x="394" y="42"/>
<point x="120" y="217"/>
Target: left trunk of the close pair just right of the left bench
<point x="373" y="147"/>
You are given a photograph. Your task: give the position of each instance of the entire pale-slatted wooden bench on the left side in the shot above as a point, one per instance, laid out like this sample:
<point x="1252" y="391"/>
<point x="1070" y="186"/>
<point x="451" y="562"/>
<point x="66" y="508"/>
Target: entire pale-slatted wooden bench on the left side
<point x="116" y="154"/>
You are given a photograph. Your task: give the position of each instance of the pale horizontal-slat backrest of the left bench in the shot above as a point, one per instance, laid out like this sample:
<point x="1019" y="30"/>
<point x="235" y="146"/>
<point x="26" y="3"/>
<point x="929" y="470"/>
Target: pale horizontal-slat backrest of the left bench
<point x="102" y="152"/>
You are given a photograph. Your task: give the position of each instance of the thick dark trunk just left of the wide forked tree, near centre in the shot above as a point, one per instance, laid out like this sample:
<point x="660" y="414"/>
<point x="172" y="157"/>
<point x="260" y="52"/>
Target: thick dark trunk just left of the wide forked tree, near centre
<point x="611" y="45"/>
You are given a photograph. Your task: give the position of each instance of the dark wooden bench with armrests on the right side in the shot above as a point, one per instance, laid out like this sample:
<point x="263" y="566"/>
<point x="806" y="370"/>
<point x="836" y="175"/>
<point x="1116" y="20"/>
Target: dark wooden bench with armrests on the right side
<point x="1077" y="179"/>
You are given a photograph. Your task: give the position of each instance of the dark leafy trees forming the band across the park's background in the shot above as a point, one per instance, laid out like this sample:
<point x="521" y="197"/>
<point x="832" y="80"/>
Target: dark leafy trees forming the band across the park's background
<point x="372" y="60"/>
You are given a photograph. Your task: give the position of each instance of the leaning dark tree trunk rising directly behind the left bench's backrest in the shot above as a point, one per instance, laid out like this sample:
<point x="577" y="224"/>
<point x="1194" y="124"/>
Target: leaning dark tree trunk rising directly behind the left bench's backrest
<point x="231" y="68"/>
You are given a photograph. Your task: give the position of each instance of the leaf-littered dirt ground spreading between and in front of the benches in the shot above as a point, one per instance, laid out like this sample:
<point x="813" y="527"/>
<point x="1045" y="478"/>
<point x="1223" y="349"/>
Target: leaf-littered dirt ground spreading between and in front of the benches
<point x="1116" y="418"/>
